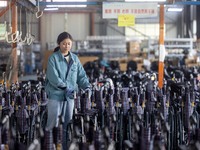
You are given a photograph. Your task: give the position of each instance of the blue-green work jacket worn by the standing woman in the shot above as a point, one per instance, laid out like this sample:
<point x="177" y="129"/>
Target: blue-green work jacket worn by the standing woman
<point x="60" y="75"/>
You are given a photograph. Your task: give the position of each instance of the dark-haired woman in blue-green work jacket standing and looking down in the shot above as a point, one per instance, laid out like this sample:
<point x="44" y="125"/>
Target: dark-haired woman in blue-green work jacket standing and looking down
<point x="64" y="75"/>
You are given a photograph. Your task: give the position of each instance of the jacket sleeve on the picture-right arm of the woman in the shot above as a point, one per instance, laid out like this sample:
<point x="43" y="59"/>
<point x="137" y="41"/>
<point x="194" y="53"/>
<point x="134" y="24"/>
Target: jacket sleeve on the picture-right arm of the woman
<point x="82" y="79"/>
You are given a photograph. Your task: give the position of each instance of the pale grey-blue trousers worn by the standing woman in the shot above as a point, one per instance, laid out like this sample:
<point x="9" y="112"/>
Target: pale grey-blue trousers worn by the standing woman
<point x="55" y="108"/>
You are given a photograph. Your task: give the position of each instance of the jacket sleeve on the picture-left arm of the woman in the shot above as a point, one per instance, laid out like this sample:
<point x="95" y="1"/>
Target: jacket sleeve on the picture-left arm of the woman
<point x="52" y="74"/>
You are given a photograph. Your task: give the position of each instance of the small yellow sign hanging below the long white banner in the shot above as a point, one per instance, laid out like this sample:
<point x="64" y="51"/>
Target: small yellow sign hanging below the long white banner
<point x="126" y="20"/>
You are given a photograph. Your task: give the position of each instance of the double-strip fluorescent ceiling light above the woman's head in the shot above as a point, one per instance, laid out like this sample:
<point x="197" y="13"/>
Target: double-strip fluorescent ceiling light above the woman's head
<point x="71" y="1"/>
